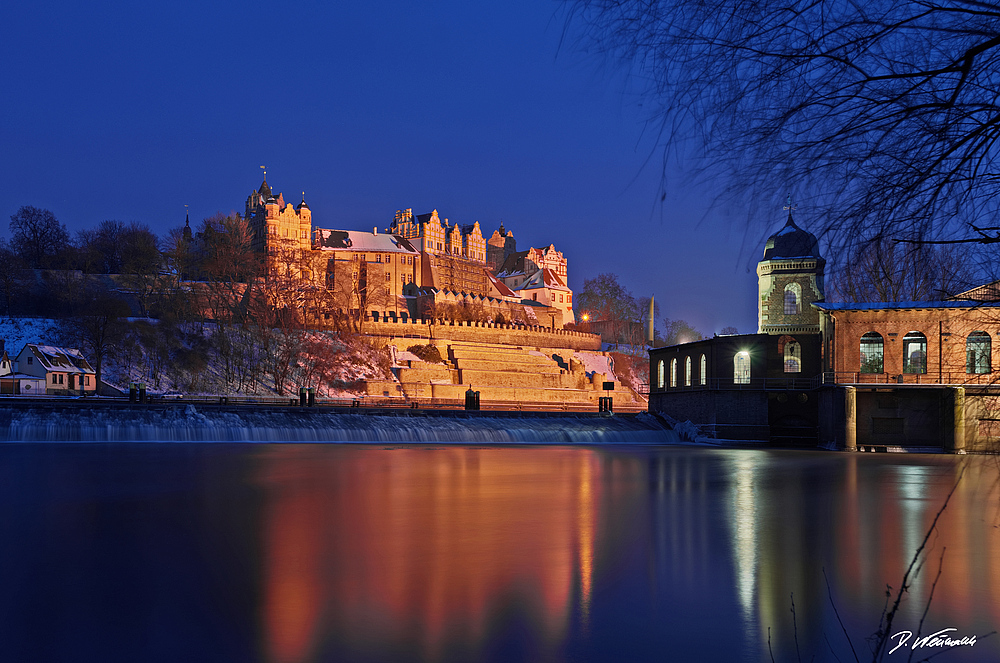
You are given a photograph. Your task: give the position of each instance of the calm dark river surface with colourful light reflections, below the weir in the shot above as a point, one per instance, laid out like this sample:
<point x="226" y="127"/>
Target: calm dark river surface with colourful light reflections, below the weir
<point x="290" y="553"/>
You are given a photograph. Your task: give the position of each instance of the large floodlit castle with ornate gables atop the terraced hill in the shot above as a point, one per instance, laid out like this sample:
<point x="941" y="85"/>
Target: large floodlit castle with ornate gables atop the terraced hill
<point x="420" y="266"/>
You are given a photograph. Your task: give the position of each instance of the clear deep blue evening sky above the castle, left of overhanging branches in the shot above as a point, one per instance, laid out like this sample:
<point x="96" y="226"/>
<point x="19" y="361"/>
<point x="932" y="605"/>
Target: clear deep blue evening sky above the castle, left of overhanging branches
<point x="131" y="110"/>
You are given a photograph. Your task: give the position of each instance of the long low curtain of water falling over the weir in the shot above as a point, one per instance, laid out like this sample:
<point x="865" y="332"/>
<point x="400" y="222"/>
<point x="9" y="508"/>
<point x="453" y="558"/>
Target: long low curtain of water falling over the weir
<point x="188" y="424"/>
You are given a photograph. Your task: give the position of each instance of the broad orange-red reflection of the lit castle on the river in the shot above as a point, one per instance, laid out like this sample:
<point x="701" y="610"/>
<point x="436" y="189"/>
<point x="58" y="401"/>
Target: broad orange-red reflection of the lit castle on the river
<point x="424" y="551"/>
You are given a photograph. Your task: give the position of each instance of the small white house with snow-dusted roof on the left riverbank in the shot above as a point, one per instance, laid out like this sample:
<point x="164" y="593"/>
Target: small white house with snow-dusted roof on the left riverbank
<point x="55" y="371"/>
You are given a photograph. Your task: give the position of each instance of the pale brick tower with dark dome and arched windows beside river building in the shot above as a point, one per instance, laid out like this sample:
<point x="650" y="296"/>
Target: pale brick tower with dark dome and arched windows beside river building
<point x="789" y="279"/>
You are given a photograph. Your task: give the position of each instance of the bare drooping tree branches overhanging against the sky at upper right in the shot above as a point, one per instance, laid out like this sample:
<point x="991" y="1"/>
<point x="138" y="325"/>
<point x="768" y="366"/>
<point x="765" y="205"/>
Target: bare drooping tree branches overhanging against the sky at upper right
<point x="882" y="113"/>
